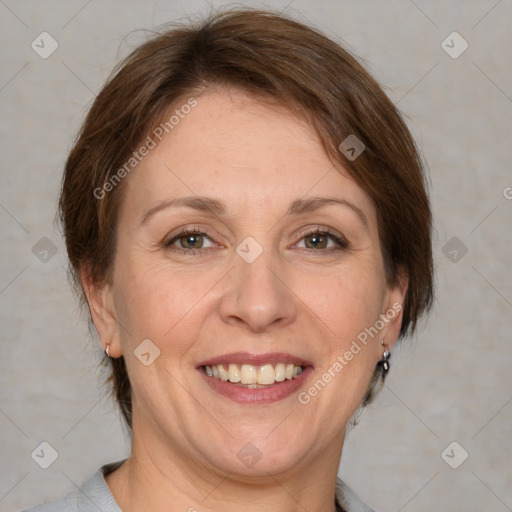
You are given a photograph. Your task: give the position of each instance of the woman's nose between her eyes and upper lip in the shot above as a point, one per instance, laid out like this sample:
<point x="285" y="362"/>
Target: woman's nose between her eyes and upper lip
<point x="259" y="295"/>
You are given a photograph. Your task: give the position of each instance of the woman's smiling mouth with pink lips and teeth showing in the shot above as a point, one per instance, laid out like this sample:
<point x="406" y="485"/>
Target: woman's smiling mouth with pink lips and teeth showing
<point x="251" y="378"/>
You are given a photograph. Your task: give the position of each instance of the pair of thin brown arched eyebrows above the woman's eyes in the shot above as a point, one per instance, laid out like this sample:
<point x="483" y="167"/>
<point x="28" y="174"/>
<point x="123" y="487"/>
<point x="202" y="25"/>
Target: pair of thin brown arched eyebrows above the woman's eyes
<point x="211" y="205"/>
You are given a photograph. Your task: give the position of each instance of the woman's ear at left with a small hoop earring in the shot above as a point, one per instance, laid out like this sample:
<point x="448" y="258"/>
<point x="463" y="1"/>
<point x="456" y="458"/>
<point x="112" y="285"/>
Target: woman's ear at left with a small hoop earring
<point x="101" y="305"/>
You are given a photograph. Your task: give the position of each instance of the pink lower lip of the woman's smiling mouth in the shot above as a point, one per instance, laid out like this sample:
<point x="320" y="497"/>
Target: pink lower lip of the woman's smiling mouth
<point x="266" y="395"/>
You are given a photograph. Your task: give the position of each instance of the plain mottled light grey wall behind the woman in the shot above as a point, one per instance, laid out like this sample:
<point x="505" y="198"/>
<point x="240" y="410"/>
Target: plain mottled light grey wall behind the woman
<point x="452" y="383"/>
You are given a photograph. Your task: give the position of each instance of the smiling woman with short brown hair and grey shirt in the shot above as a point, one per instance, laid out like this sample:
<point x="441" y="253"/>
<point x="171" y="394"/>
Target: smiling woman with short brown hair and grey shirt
<point x="246" y="217"/>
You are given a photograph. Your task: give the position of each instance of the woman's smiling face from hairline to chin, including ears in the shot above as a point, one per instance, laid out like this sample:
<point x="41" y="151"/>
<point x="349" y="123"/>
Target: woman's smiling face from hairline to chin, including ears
<point x="275" y="275"/>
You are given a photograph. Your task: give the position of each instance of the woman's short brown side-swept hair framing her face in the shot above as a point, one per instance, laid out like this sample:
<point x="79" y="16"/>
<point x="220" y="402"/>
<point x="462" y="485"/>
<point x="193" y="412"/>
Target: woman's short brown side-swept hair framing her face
<point x="275" y="58"/>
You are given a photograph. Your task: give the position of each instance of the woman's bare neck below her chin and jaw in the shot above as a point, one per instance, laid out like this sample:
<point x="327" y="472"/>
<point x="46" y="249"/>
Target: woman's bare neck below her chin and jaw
<point x="169" y="480"/>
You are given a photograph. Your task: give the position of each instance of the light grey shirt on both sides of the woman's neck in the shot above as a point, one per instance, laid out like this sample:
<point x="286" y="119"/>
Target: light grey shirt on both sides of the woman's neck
<point x="95" y="496"/>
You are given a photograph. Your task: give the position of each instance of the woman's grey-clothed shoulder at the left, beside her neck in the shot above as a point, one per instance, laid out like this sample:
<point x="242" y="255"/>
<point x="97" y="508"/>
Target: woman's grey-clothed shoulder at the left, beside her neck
<point x="92" y="496"/>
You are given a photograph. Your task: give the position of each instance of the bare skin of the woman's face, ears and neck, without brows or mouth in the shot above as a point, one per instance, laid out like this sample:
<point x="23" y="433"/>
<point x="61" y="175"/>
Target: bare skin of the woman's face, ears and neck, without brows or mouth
<point x="304" y="298"/>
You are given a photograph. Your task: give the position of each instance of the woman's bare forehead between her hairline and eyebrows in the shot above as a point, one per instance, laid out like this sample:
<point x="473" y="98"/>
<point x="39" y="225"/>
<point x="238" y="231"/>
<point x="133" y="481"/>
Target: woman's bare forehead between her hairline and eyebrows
<point x="248" y="153"/>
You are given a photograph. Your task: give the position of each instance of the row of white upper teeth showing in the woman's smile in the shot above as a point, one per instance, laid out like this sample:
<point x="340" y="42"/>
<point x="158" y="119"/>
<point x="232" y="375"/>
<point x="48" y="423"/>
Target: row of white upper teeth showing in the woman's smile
<point x="250" y="374"/>
